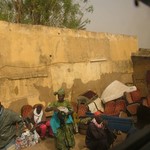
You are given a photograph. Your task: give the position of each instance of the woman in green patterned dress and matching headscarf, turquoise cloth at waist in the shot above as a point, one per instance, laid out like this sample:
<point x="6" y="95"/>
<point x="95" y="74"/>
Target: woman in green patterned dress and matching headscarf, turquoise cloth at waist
<point x="61" y="121"/>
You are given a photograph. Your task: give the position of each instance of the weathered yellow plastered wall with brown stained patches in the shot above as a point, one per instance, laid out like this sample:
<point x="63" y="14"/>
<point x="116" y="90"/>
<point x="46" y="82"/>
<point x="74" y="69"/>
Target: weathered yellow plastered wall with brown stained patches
<point x="35" y="61"/>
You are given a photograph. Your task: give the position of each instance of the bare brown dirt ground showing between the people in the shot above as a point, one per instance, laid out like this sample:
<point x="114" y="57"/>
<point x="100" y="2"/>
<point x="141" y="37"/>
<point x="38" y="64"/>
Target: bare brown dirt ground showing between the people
<point x="48" y="143"/>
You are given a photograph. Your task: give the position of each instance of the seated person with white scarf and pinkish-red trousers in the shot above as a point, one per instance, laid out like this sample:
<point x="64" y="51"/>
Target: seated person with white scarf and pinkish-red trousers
<point x="38" y="118"/>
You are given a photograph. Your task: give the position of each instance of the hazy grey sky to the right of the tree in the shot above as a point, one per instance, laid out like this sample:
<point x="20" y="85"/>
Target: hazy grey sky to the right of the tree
<point x="121" y="17"/>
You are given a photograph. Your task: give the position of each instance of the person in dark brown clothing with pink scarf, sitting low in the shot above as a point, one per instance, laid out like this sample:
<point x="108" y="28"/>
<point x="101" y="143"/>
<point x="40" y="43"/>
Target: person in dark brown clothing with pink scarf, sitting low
<point x="96" y="137"/>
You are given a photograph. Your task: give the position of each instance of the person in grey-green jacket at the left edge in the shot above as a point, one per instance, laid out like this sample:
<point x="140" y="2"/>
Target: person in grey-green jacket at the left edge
<point x="11" y="126"/>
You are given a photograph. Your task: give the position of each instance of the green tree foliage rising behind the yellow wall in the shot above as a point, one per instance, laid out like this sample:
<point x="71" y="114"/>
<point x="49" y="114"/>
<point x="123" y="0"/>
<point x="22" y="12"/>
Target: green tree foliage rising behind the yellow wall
<point x="55" y="13"/>
